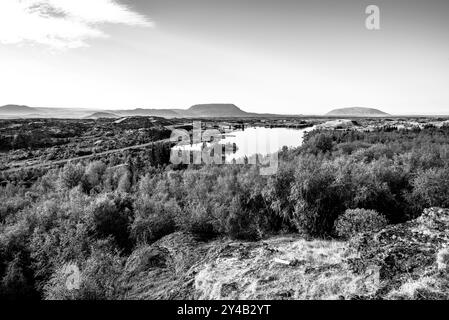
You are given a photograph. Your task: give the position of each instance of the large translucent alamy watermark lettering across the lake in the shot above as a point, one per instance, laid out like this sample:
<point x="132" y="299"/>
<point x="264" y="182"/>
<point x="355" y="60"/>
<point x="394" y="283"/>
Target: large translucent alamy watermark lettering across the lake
<point x="203" y="147"/>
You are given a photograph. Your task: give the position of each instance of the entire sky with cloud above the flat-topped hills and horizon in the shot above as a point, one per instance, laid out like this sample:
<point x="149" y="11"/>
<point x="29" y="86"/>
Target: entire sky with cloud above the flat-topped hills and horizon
<point x="267" y="56"/>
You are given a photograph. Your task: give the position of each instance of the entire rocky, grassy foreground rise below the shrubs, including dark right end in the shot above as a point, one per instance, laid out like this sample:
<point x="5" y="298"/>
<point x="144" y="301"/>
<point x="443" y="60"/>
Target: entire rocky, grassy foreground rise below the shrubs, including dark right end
<point x="405" y="261"/>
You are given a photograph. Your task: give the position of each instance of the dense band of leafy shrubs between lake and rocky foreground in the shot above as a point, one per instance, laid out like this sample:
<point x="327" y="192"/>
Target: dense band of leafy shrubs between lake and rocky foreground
<point x="95" y="214"/>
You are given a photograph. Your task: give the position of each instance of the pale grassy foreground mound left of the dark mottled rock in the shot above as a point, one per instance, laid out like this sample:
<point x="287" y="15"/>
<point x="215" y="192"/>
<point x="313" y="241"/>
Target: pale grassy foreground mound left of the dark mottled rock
<point x="284" y="267"/>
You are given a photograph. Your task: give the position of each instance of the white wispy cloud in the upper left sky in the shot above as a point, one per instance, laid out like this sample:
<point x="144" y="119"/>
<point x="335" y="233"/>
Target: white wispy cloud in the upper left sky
<point x="62" y="24"/>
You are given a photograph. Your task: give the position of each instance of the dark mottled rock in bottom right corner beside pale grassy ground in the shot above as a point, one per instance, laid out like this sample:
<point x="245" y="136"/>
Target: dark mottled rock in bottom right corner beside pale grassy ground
<point x="407" y="255"/>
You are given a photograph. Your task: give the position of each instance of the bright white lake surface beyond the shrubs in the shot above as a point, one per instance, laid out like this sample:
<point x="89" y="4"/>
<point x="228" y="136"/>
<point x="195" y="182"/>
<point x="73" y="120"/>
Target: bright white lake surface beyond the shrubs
<point x="251" y="141"/>
